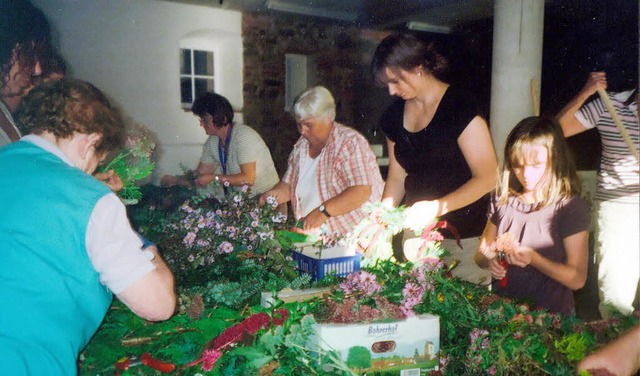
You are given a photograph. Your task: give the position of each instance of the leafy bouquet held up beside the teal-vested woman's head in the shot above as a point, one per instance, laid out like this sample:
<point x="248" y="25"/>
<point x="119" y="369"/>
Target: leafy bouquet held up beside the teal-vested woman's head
<point x="133" y="163"/>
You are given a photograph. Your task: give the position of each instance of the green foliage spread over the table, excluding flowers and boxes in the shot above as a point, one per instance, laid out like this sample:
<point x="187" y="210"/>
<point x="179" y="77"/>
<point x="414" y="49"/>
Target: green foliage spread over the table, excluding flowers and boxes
<point x="480" y="333"/>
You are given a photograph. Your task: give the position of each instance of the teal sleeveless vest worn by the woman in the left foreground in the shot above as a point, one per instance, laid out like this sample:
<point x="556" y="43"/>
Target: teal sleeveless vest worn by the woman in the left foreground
<point x="52" y="299"/>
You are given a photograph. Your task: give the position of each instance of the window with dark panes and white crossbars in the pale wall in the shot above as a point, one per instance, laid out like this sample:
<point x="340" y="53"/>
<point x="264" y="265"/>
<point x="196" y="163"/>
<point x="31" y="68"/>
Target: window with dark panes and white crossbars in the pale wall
<point x="196" y="74"/>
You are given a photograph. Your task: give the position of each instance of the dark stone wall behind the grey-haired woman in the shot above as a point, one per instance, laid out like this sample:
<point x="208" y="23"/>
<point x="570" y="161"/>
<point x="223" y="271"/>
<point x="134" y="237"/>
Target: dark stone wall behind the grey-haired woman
<point x="341" y="55"/>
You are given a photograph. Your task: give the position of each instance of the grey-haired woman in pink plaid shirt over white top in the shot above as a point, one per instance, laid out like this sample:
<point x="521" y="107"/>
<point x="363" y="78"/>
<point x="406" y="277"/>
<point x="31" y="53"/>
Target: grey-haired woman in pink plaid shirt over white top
<point x="332" y="171"/>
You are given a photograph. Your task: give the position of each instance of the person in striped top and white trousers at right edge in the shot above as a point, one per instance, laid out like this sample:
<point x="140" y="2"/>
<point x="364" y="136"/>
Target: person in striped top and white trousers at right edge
<point x="617" y="195"/>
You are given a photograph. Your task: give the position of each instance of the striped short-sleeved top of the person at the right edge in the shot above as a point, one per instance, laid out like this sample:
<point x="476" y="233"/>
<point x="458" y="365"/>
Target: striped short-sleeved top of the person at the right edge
<point x="618" y="177"/>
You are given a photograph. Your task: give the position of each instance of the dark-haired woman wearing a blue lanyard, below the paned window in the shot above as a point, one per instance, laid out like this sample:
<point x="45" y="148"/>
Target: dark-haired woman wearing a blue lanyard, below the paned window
<point x="236" y="155"/>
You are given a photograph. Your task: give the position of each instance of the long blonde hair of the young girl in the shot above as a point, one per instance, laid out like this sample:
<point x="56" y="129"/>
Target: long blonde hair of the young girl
<point x="560" y="180"/>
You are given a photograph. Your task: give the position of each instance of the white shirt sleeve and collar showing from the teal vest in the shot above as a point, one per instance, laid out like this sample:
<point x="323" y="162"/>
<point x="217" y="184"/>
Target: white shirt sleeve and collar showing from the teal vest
<point x="113" y="247"/>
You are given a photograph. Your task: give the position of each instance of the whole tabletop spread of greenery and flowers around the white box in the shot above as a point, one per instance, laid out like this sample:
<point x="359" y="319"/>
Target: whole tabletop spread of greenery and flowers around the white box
<point x="226" y="254"/>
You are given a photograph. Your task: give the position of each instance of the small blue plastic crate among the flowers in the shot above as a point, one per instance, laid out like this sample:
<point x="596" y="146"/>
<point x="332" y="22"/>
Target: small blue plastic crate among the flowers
<point x="318" y="269"/>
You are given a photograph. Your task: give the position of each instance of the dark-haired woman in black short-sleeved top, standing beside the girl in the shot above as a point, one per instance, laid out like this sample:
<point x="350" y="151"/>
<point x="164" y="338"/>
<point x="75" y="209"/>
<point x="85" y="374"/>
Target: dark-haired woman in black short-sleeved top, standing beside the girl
<point x="441" y="158"/>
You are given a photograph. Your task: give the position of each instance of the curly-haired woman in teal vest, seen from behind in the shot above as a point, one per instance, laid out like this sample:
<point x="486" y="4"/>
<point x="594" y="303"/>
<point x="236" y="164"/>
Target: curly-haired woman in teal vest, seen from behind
<point x="65" y="240"/>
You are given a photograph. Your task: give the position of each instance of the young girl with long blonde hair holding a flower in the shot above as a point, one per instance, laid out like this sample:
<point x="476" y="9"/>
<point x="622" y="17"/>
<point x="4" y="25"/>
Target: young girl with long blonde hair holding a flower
<point x="535" y="243"/>
